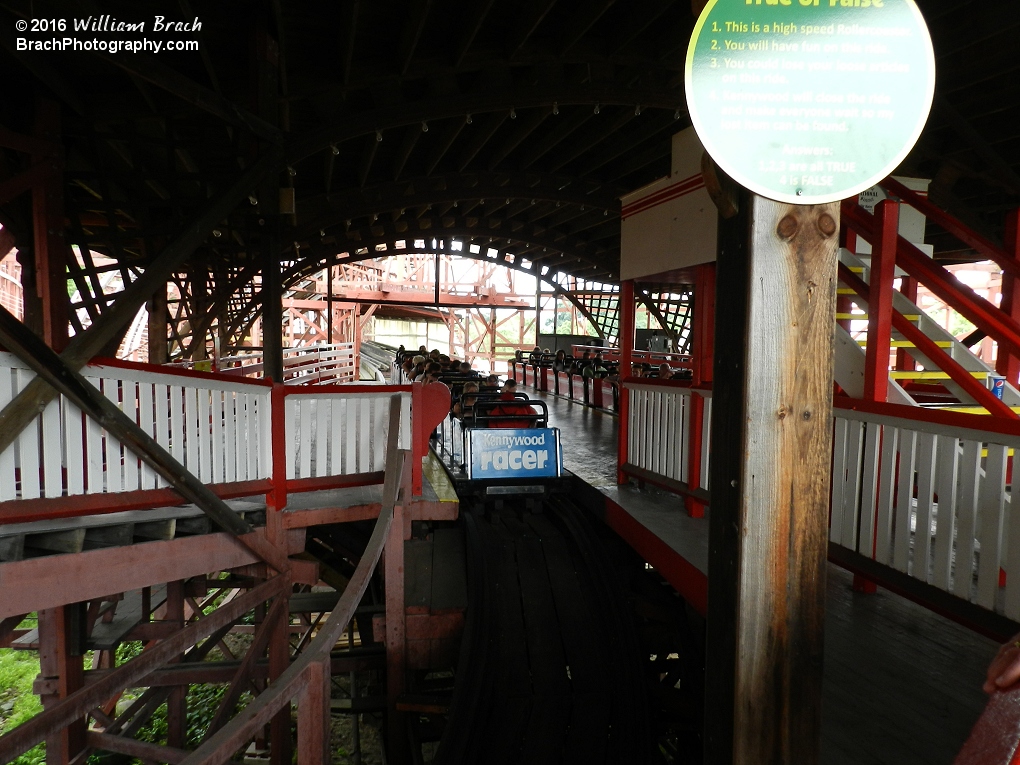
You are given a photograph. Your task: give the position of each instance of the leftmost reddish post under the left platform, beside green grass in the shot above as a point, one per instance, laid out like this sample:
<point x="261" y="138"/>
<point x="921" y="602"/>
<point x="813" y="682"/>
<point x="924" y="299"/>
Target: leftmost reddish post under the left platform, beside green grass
<point x="61" y="645"/>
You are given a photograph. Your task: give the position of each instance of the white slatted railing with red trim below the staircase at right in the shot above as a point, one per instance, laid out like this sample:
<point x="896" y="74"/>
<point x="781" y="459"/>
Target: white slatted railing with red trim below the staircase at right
<point x="930" y="498"/>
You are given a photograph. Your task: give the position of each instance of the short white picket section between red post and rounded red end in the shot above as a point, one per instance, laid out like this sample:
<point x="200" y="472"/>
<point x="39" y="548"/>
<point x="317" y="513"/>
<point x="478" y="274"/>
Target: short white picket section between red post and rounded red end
<point x="341" y="432"/>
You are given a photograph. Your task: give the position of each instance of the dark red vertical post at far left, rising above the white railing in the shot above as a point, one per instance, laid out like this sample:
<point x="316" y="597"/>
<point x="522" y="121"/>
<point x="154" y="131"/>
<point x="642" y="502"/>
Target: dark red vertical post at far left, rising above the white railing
<point x="47" y="219"/>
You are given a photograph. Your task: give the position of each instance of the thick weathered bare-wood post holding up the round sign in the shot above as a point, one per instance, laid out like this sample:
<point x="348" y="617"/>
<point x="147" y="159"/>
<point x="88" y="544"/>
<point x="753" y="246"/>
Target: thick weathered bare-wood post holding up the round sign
<point x="772" y="433"/>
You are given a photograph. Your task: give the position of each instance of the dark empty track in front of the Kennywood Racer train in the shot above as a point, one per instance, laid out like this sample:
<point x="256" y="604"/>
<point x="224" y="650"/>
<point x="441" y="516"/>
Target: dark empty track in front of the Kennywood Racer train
<point x="550" y="667"/>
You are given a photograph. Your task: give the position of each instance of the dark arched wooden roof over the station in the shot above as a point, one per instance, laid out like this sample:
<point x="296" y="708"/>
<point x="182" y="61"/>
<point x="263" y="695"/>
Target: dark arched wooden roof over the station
<point x="512" y="126"/>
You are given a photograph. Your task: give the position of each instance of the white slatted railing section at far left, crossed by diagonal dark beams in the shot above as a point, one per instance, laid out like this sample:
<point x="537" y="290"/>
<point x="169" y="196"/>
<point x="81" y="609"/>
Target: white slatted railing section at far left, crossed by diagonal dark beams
<point x="219" y="430"/>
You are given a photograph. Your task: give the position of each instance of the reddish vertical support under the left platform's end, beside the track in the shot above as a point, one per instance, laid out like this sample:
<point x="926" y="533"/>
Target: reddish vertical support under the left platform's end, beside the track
<point x="395" y="638"/>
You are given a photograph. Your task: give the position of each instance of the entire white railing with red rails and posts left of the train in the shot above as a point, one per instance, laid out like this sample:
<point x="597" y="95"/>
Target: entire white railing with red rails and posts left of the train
<point x="222" y="429"/>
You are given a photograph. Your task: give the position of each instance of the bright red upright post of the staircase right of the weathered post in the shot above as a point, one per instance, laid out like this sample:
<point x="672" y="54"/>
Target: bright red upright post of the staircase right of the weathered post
<point x="877" y="362"/>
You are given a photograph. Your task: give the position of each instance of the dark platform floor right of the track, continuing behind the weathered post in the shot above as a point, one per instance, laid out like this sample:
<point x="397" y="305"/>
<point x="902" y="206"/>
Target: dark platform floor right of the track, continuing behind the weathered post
<point x="902" y="686"/>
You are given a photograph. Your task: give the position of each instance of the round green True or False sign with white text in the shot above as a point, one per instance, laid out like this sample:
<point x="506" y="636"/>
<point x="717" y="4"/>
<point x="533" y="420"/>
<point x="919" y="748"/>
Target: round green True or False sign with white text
<point x="810" y="101"/>
